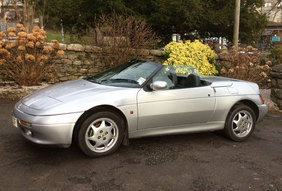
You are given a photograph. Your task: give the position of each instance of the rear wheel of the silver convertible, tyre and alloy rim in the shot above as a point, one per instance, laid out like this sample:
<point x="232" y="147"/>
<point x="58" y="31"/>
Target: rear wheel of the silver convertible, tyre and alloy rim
<point x="240" y="123"/>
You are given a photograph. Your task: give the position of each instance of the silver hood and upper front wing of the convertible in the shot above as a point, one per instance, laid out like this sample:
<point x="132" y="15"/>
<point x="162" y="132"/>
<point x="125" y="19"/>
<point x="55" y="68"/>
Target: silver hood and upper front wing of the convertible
<point x="76" y="96"/>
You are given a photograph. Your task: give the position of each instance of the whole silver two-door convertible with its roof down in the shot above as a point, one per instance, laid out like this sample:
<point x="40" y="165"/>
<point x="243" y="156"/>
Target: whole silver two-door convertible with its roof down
<point x="137" y="99"/>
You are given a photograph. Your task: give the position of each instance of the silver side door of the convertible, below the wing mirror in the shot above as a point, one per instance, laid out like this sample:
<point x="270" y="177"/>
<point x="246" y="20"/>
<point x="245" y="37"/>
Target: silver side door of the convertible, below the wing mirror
<point x="174" y="107"/>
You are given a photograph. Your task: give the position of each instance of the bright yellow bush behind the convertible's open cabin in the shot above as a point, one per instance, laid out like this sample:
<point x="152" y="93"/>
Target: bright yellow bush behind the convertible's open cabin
<point x="194" y="54"/>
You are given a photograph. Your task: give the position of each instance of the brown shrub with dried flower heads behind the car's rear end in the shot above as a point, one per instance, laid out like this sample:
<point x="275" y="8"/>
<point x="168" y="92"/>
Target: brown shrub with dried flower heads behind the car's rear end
<point x="245" y="64"/>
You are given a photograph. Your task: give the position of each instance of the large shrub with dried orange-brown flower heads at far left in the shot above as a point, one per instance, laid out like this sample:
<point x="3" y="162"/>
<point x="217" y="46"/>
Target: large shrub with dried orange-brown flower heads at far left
<point x="24" y="57"/>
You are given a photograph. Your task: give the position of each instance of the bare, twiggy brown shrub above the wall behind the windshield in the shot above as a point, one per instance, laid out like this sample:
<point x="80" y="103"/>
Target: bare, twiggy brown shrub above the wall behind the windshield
<point x="123" y="38"/>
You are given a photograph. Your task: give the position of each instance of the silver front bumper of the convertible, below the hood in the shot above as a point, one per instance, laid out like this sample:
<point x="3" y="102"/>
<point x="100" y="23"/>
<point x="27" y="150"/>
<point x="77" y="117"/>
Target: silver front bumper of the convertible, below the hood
<point x="47" y="130"/>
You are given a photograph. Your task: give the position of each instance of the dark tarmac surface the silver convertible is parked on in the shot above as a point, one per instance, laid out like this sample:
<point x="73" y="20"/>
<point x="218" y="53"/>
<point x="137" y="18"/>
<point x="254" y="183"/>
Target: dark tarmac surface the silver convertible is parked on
<point x="203" y="161"/>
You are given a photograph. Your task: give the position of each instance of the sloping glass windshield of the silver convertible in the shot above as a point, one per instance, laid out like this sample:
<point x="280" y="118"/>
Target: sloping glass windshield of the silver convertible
<point x="131" y="74"/>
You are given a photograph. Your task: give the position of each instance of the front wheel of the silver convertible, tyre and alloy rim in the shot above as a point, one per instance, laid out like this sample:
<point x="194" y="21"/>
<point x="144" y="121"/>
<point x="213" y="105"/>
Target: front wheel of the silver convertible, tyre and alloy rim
<point x="100" y="134"/>
